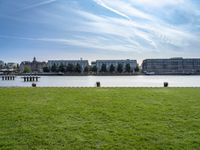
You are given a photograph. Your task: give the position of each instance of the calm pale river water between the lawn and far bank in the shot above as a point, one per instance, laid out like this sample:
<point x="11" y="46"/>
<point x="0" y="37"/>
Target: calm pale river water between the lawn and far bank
<point x="107" y="81"/>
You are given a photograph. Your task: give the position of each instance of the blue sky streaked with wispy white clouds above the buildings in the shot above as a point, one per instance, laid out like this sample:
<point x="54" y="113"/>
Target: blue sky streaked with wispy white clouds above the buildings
<point x="98" y="29"/>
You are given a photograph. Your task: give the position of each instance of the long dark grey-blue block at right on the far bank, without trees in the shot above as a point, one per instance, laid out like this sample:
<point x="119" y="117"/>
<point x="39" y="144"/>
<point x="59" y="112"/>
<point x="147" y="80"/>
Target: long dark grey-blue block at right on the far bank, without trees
<point x="171" y="66"/>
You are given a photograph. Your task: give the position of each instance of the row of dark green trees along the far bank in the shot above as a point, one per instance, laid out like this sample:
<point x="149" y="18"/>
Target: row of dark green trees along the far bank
<point x="77" y="68"/>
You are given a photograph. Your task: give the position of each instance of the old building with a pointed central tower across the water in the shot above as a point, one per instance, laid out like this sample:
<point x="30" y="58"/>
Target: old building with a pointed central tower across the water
<point x="34" y="66"/>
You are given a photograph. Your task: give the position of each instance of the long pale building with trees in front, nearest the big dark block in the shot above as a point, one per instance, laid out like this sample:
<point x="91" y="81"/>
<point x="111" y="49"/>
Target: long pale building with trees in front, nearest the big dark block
<point x="115" y="65"/>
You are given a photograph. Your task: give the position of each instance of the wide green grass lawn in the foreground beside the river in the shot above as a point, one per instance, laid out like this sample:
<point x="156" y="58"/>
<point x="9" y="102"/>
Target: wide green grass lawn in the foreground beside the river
<point x="100" y="118"/>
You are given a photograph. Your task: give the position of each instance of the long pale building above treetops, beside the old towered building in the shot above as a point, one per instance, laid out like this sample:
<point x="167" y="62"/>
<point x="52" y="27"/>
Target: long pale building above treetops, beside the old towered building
<point x="84" y="64"/>
